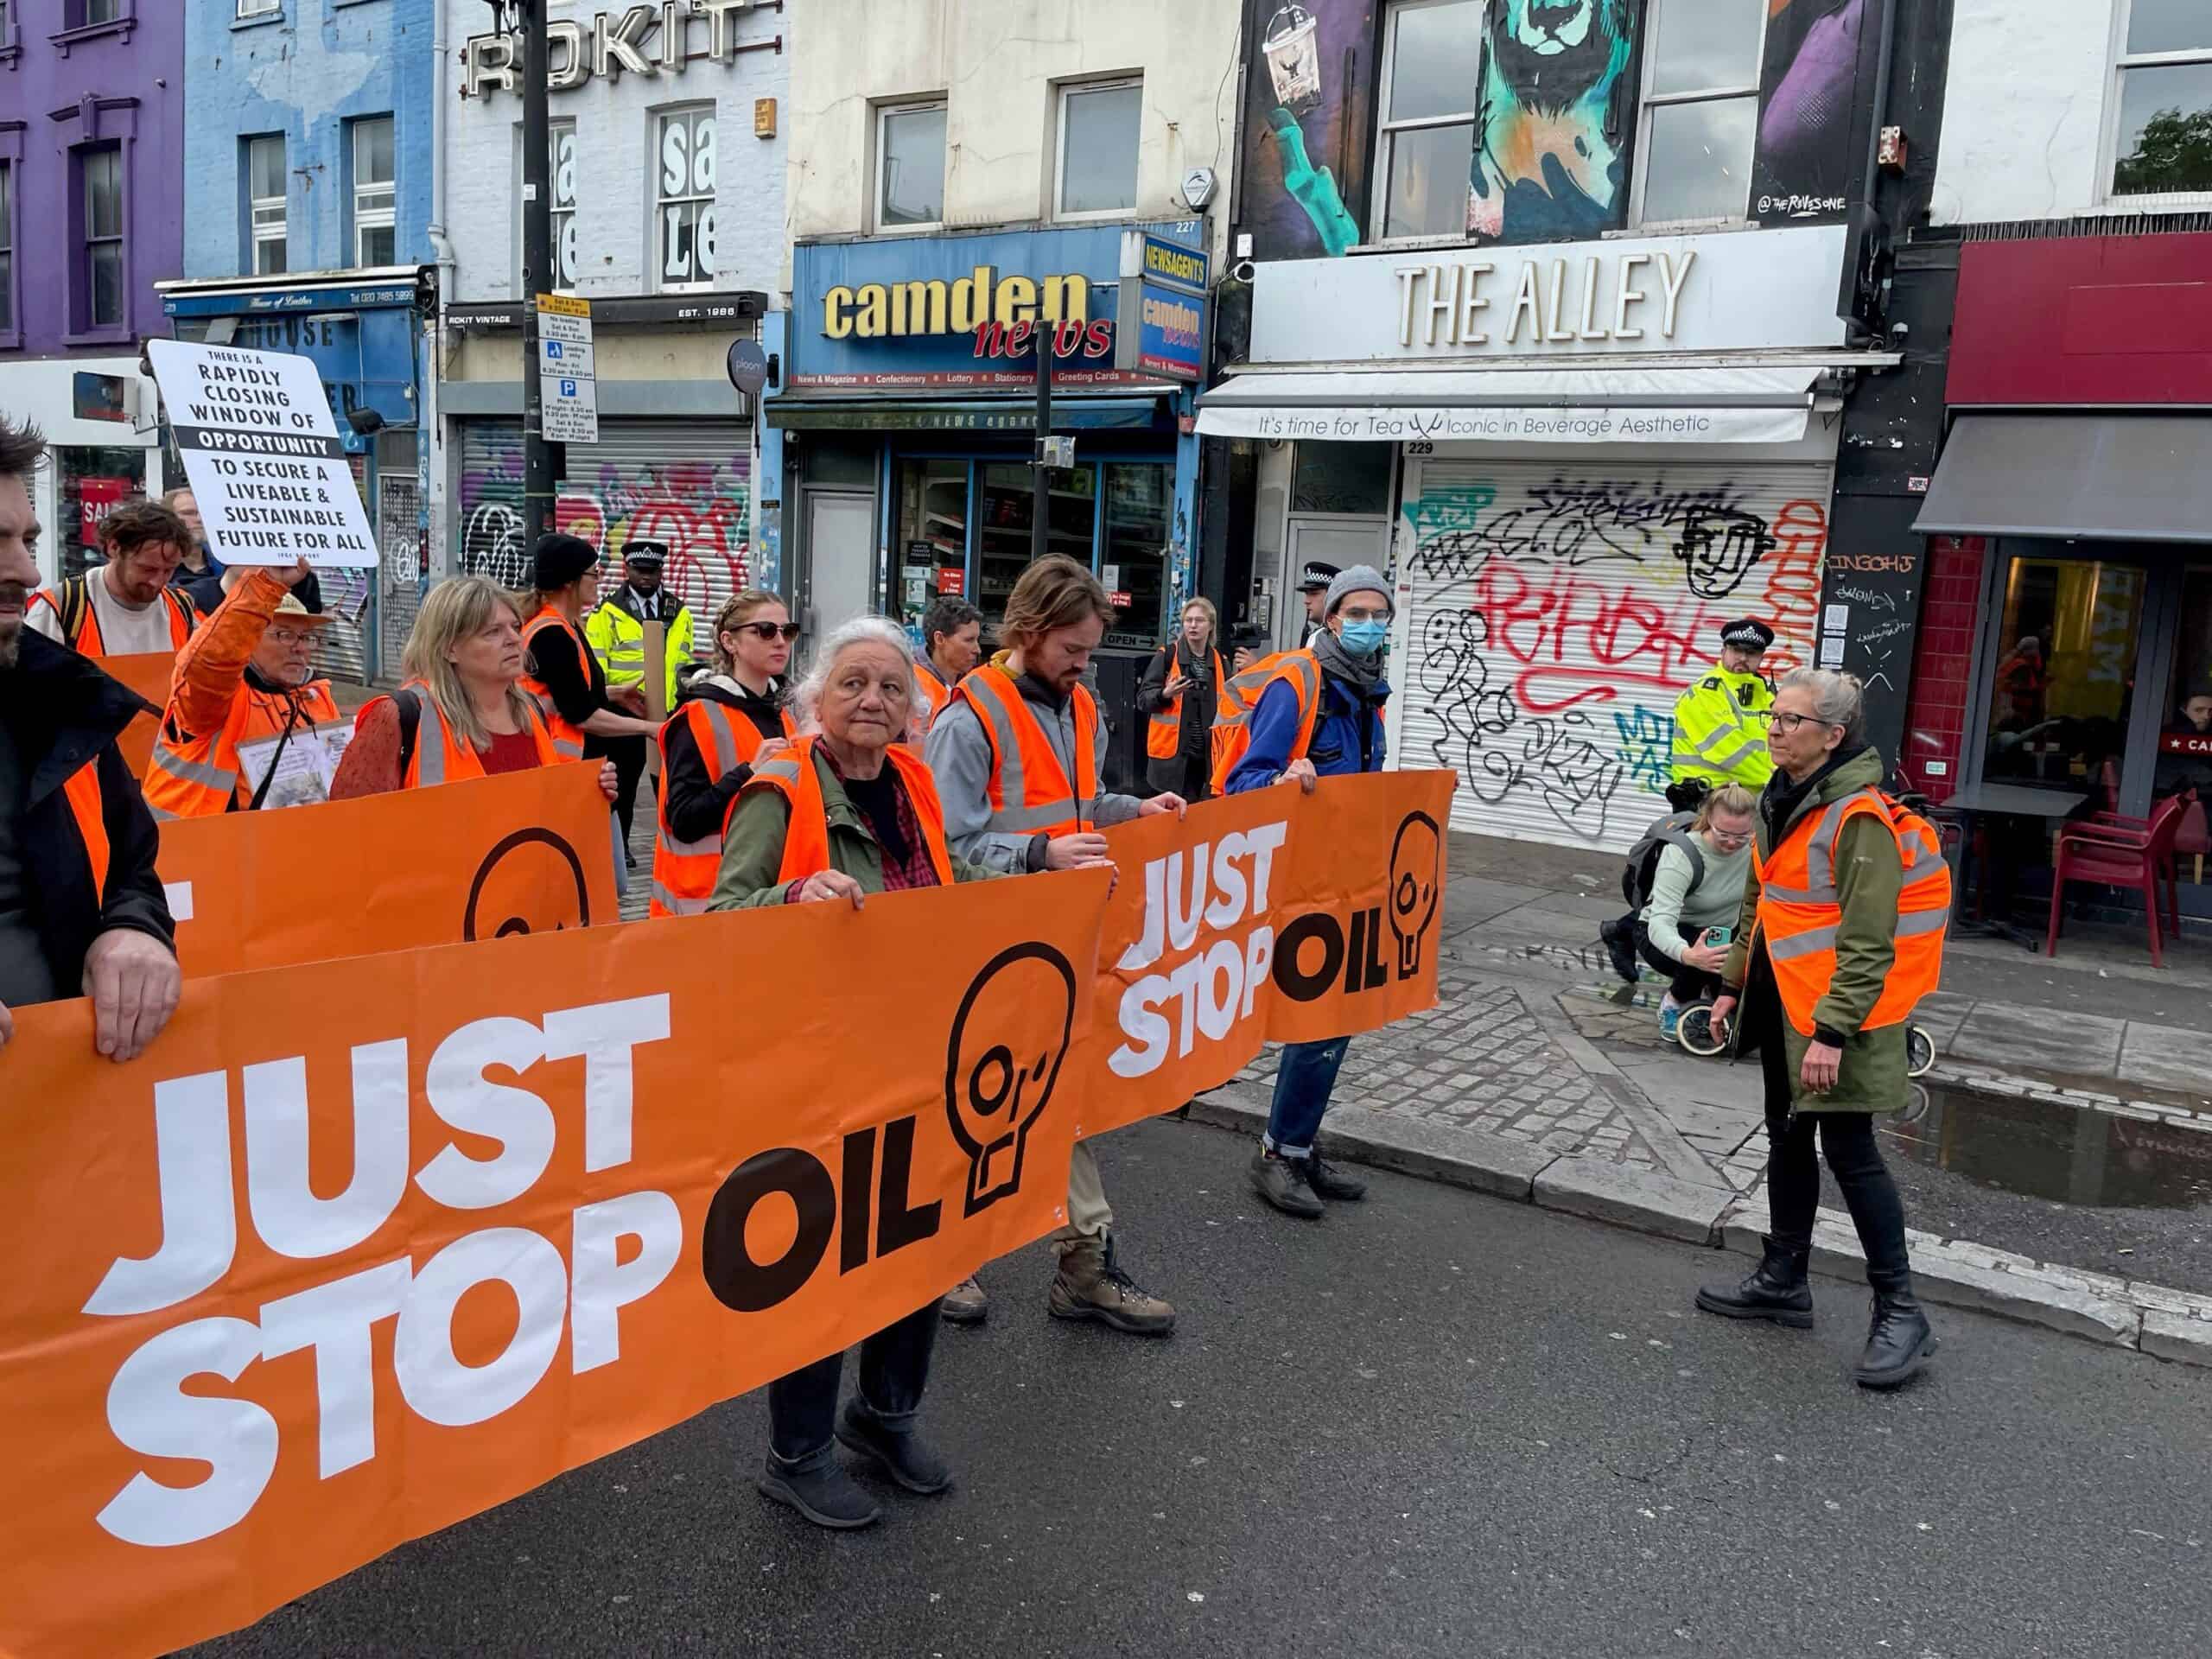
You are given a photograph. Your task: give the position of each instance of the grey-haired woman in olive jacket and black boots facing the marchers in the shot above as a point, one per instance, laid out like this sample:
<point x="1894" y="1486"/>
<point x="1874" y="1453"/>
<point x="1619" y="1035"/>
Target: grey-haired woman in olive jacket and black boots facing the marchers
<point x="1839" y="1076"/>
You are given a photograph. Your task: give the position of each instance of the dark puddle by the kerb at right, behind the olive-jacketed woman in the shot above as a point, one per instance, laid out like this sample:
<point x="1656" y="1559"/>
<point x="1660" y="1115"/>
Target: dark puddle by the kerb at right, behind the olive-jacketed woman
<point x="2063" y="1154"/>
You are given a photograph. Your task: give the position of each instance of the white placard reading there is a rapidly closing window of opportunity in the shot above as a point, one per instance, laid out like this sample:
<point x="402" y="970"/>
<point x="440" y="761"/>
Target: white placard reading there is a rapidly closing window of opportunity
<point x="262" y="455"/>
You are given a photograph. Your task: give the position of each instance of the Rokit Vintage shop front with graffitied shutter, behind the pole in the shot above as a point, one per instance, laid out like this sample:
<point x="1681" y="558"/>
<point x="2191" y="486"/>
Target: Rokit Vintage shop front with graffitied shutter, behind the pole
<point x="674" y="461"/>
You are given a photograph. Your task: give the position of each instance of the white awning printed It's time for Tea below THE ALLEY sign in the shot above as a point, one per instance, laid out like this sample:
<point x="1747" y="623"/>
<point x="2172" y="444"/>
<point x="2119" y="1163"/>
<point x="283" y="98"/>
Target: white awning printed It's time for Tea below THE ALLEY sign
<point x="1585" y="404"/>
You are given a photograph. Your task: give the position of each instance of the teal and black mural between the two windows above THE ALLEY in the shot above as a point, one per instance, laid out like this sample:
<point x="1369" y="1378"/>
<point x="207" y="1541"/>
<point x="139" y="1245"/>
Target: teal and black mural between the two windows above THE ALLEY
<point x="1556" y="116"/>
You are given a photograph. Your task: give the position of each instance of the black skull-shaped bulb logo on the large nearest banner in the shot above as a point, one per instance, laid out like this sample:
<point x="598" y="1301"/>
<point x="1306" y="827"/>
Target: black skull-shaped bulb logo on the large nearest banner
<point x="994" y="1092"/>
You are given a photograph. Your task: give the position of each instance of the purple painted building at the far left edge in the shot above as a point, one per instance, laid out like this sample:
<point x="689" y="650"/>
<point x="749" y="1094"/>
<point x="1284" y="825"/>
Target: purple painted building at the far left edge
<point x="92" y="218"/>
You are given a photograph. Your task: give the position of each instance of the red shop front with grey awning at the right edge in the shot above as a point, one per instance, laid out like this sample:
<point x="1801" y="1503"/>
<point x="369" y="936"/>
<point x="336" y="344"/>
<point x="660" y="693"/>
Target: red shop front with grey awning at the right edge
<point x="2072" y="536"/>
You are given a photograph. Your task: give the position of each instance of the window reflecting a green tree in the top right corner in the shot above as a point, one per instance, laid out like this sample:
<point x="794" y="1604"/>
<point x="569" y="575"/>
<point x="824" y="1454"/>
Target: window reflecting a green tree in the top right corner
<point x="2162" y="105"/>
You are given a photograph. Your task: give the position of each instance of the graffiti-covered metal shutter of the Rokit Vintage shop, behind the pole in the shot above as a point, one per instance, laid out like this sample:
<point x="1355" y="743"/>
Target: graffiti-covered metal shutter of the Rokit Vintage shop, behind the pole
<point x="687" y="486"/>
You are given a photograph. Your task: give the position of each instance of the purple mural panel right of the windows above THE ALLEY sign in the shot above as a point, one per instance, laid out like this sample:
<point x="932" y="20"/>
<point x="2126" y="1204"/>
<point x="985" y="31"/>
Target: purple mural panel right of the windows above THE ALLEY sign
<point x="1806" y="105"/>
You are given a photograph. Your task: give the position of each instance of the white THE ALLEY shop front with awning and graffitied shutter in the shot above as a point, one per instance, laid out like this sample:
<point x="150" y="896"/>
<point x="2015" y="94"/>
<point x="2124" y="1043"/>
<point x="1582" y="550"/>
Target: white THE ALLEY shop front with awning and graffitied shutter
<point x="1578" y="466"/>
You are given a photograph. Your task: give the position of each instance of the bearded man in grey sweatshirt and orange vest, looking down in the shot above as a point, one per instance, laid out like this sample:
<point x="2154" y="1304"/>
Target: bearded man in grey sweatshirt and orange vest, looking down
<point x="1016" y="755"/>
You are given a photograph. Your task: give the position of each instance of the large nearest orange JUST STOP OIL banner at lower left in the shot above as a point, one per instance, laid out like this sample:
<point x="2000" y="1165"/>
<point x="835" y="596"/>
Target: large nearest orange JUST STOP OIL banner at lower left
<point x="364" y="1249"/>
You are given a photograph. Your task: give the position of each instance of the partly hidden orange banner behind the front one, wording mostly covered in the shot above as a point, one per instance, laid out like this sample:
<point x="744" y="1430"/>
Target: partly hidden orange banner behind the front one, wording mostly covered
<point x="521" y="853"/>
